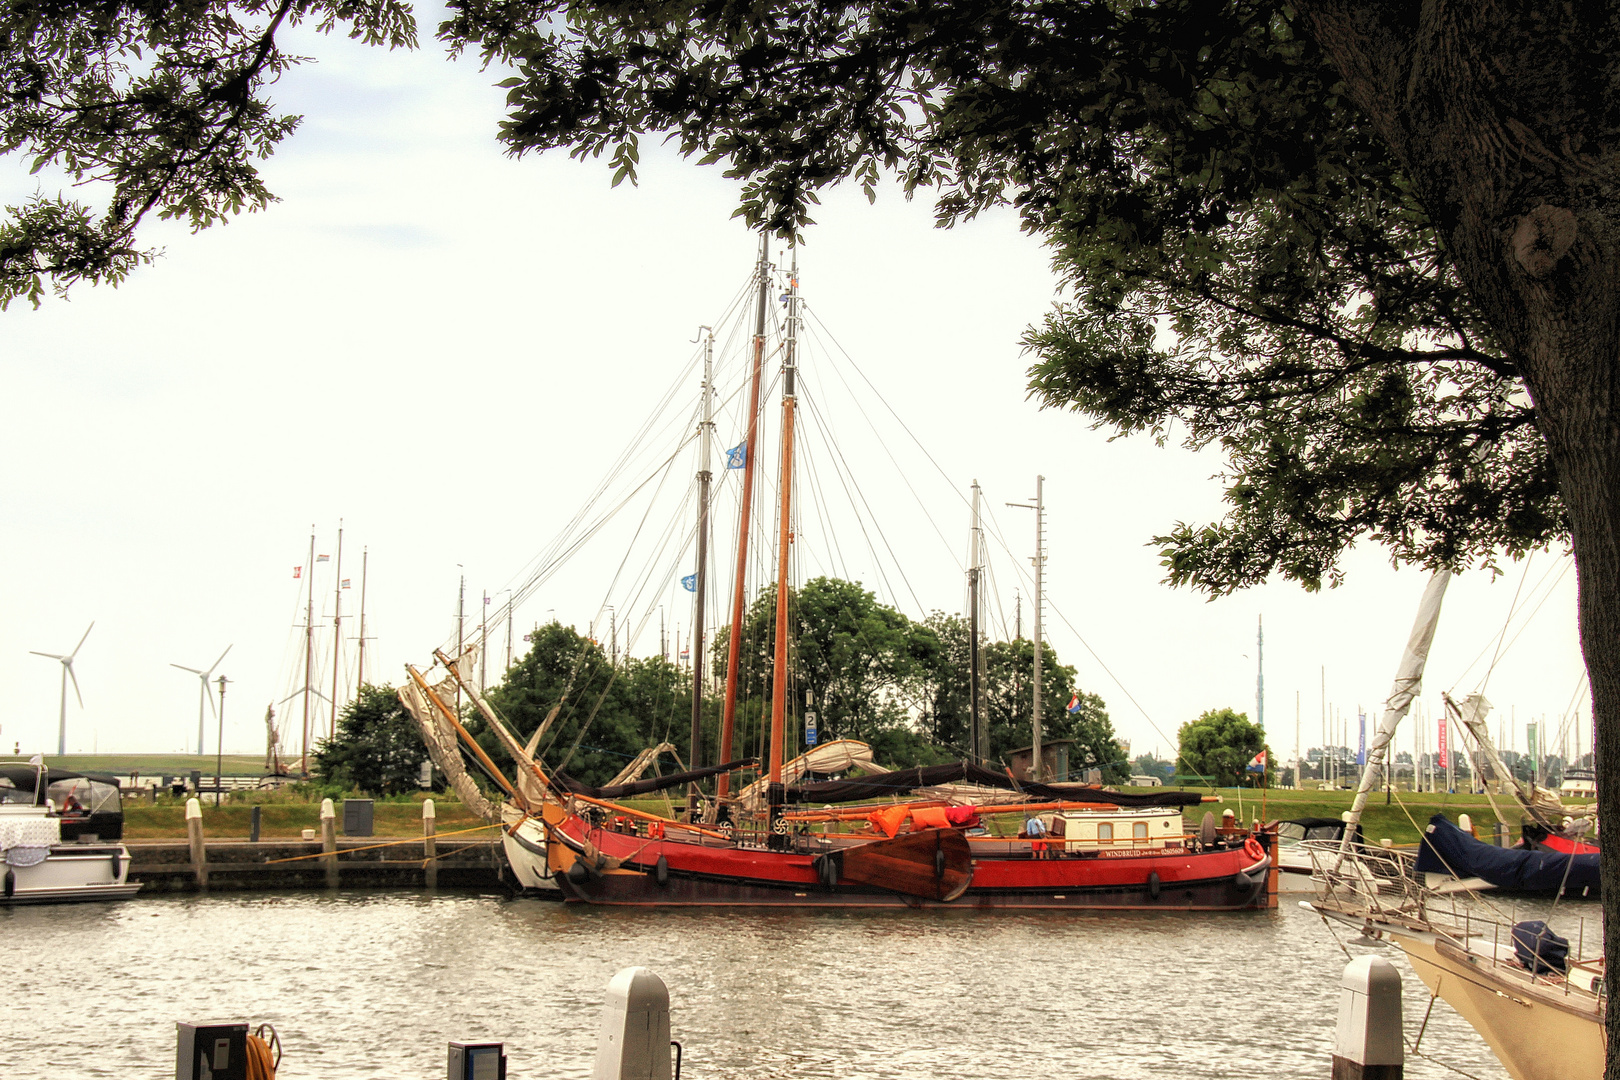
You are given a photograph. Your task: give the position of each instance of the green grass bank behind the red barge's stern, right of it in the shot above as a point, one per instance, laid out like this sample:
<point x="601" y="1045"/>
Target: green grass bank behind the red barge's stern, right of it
<point x="1400" y="820"/>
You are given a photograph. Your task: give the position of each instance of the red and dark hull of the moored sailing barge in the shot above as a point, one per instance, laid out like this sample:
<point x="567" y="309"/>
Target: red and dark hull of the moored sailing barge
<point x="718" y="875"/>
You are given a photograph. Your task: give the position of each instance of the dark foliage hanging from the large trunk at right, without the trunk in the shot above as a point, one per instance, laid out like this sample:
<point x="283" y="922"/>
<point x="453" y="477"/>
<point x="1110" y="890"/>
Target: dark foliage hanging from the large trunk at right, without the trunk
<point x="1247" y="255"/>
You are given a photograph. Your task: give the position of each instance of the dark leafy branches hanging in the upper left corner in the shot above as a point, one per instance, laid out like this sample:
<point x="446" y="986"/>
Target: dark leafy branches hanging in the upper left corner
<point x="161" y="104"/>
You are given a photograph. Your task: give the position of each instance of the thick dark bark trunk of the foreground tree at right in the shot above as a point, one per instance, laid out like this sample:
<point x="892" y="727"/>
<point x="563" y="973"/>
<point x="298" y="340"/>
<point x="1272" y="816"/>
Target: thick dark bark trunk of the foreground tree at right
<point x="1504" y="119"/>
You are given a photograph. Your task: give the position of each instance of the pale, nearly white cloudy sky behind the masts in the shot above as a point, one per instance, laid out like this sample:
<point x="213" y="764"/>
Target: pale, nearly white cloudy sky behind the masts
<point x="446" y="349"/>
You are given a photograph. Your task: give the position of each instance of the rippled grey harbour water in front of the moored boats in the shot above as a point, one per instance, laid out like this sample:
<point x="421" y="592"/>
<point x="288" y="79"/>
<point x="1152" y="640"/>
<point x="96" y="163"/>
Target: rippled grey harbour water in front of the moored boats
<point x="377" y="985"/>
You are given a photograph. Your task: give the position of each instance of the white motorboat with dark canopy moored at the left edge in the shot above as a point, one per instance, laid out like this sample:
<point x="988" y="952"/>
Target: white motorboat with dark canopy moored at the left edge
<point x="61" y="836"/>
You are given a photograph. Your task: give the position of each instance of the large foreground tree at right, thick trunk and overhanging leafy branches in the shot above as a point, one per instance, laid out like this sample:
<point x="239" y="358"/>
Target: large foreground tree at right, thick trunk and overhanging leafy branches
<point x="1360" y="245"/>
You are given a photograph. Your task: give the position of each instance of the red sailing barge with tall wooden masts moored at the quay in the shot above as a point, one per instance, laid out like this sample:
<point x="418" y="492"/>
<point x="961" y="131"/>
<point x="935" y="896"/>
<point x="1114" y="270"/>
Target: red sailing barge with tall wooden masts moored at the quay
<point x="832" y="843"/>
